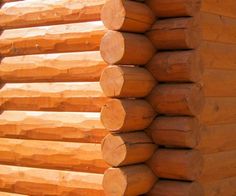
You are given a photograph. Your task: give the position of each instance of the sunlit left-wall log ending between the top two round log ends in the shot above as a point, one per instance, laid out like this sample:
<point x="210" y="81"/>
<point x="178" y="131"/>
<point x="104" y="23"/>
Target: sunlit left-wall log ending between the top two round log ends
<point x="50" y="39"/>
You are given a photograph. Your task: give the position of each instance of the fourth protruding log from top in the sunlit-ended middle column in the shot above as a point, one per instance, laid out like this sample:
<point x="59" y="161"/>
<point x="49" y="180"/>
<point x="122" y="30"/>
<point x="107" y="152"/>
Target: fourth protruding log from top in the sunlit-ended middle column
<point x="126" y="115"/>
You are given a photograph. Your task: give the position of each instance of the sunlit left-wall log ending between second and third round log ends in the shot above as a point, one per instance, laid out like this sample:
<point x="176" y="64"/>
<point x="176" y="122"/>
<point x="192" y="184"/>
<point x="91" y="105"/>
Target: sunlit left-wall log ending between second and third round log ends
<point x="61" y="67"/>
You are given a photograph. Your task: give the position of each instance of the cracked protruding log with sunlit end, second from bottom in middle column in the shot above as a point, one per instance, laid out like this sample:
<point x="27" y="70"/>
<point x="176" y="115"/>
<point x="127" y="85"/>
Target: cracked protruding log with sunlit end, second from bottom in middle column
<point x="127" y="148"/>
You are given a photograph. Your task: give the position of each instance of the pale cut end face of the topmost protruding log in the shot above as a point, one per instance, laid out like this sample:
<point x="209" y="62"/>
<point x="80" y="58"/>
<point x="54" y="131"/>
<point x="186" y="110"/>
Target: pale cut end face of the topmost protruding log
<point x="113" y="14"/>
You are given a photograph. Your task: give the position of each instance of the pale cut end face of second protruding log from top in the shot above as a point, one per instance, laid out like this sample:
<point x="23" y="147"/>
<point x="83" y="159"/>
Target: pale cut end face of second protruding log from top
<point x="112" y="47"/>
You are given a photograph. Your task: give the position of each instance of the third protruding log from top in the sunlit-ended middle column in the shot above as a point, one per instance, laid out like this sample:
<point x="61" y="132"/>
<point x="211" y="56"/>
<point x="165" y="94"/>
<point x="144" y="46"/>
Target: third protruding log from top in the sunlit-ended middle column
<point x="122" y="81"/>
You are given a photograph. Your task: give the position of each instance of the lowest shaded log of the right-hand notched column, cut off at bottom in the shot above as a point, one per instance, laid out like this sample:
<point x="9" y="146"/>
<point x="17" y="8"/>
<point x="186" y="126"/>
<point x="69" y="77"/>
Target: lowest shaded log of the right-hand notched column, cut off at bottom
<point x="176" y="188"/>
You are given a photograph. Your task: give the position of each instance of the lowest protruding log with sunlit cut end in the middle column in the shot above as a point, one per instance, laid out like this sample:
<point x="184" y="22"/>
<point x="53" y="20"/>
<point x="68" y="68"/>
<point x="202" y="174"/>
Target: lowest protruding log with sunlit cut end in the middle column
<point x="128" y="181"/>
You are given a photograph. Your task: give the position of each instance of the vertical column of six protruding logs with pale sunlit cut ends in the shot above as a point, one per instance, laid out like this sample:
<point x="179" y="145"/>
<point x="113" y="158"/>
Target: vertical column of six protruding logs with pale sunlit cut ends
<point x="126" y="49"/>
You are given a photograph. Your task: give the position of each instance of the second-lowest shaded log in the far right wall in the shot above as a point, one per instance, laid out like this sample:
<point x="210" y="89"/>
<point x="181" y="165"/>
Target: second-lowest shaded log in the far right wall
<point x="218" y="166"/>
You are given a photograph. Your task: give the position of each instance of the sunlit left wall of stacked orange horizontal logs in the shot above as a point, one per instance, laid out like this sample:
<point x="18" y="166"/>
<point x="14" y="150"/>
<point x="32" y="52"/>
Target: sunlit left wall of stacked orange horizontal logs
<point x="51" y="98"/>
